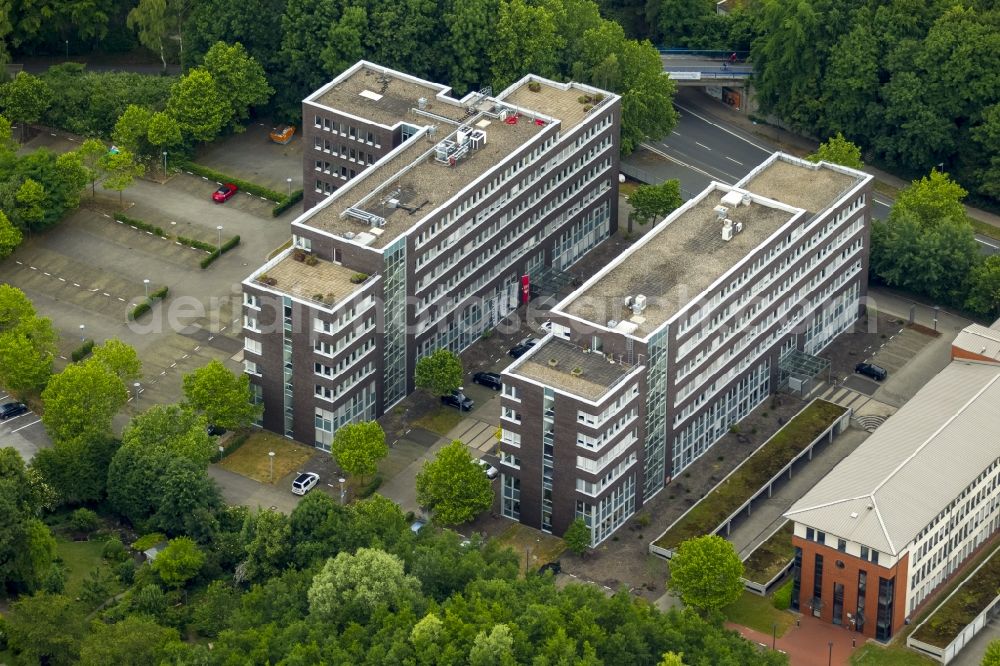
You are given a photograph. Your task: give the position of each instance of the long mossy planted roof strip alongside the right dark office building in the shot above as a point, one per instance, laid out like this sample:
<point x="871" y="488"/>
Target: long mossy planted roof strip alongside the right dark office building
<point x="753" y="473"/>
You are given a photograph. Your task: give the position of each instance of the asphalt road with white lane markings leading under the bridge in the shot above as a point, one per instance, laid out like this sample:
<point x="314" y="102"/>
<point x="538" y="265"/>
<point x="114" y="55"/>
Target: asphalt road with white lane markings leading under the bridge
<point x="701" y="150"/>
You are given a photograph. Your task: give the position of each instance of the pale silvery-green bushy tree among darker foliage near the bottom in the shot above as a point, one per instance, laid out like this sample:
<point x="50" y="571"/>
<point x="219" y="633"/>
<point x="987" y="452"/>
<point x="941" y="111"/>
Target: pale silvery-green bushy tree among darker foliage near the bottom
<point x="356" y="585"/>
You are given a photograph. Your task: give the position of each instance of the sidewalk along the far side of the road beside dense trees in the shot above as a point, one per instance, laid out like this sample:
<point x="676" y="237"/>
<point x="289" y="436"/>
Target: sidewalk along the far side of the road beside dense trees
<point x="792" y="143"/>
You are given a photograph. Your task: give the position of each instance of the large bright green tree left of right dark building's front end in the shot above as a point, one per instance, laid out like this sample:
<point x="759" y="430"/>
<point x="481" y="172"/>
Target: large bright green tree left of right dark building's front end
<point x="454" y="486"/>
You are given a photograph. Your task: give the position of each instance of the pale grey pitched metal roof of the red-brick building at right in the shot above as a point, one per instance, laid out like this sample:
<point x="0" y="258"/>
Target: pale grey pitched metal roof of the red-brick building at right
<point x="914" y="465"/>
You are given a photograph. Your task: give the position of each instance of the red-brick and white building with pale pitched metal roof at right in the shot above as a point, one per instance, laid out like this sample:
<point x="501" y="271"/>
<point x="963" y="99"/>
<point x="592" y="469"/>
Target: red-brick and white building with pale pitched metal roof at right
<point x="899" y="515"/>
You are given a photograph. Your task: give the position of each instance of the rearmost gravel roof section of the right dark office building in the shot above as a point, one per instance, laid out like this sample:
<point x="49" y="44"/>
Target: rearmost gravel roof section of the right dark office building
<point x="813" y="187"/>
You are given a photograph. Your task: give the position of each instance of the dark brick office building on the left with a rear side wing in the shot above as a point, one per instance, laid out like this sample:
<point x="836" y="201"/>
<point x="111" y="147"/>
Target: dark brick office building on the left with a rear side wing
<point x="427" y="213"/>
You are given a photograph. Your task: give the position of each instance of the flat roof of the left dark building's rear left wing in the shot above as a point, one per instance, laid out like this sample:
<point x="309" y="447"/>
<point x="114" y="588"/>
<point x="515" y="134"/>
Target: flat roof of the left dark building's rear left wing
<point x="387" y="97"/>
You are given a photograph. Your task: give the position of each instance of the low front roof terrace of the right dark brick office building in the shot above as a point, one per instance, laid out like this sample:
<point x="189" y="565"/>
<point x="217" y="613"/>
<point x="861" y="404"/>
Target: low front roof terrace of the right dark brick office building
<point x="565" y="366"/>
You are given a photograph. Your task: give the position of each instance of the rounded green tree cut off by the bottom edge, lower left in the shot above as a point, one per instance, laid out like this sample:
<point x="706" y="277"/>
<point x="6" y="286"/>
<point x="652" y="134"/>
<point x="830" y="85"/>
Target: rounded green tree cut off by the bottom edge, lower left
<point x="134" y="640"/>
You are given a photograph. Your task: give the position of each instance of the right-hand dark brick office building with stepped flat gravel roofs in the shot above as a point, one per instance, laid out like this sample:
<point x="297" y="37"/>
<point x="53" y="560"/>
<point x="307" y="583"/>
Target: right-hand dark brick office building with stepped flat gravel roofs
<point x="654" y="358"/>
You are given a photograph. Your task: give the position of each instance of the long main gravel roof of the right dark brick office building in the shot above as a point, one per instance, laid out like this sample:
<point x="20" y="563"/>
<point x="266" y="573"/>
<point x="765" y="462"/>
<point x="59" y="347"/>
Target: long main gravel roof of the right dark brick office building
<point x="675" y="263"/>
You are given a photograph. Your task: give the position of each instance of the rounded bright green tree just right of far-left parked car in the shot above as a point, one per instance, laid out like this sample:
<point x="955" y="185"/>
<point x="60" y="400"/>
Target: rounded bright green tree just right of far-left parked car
<point x="81" y="401"/>
